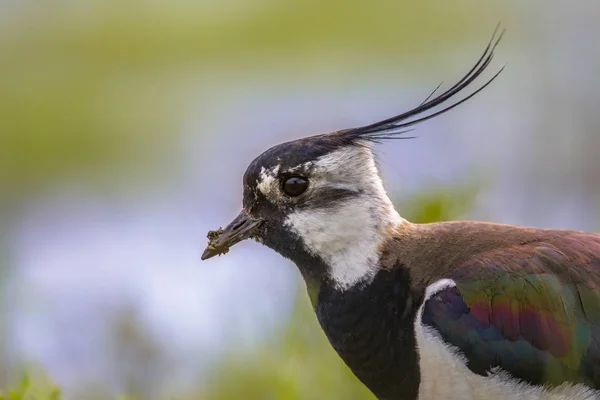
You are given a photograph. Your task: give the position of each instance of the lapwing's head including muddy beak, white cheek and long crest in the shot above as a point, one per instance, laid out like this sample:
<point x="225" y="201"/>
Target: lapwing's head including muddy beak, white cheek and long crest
<point x="320" y="200"/>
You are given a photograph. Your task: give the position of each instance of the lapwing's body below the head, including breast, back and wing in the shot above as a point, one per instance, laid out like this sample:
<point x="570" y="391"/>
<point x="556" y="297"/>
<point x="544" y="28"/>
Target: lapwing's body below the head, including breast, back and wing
<point x="494" y="295"/>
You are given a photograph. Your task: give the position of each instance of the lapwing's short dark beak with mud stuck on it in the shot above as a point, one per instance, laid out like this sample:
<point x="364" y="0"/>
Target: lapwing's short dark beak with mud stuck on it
<point x="242" y="227"/>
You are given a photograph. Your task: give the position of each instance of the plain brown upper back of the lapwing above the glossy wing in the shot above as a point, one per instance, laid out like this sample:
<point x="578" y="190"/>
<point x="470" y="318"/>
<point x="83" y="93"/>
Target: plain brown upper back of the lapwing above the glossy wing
<point x="431" y="251"/>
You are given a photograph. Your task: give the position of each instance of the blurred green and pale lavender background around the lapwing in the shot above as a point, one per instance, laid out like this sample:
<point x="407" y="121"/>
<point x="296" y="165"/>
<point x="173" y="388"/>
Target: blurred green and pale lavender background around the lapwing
<point x="126" y="126"/>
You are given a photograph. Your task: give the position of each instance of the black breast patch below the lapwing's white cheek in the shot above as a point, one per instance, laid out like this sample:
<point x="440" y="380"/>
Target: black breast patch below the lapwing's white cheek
<point x="372" y="329"/>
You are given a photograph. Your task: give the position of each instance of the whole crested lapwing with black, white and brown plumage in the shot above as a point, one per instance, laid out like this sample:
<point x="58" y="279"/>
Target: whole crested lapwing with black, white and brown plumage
<point x="446" y="310"/>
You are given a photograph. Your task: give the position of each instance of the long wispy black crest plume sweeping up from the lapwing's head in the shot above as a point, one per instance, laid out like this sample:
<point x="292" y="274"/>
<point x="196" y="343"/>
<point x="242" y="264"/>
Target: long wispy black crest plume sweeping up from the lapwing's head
<point x="395" y="127"/>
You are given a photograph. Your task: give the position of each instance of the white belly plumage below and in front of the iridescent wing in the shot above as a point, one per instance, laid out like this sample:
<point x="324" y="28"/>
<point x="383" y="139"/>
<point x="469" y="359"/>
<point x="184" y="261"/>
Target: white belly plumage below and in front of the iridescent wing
<point x="445" y="375"/>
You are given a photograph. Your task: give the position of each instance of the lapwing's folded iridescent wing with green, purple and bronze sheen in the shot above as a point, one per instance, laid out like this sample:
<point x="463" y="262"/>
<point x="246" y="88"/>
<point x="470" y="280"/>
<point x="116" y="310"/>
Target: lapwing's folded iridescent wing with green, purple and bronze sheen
<point x="532" y="310"/>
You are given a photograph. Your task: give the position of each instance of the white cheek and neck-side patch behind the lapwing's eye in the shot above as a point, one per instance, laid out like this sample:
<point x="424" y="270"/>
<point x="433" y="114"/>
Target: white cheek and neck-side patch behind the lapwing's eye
<point x="347" y="236"/>
